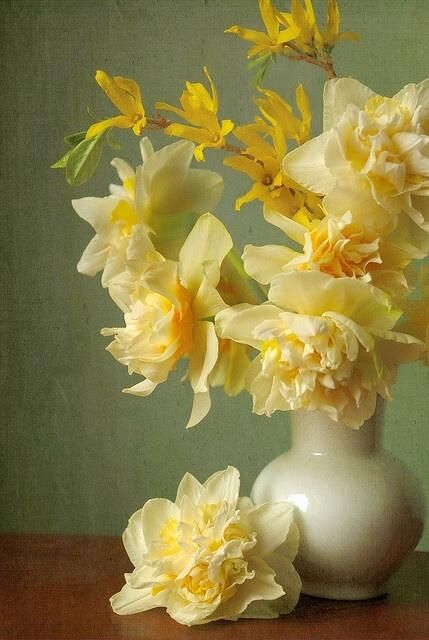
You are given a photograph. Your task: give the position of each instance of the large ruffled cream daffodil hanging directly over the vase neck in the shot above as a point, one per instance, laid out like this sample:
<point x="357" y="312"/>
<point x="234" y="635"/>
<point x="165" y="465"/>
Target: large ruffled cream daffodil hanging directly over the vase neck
<point x="325" y="343"/>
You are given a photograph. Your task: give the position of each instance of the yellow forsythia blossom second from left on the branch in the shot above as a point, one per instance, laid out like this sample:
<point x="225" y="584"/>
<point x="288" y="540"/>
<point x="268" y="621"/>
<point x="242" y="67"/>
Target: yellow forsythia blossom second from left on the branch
<point x="199" y="109"/>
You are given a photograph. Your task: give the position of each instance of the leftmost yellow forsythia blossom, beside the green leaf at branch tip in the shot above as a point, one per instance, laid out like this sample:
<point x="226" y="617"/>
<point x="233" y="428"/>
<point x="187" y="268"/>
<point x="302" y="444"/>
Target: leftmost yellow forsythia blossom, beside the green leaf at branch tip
<point x="125" y="95"/>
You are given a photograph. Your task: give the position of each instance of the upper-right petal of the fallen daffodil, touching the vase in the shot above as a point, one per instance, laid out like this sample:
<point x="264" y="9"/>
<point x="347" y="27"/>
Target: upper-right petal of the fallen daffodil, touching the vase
<point x="271" y="522"/>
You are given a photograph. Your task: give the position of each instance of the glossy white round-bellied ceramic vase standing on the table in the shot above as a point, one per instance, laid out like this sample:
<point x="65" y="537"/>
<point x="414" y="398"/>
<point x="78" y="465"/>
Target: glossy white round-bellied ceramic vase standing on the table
<point x="359" y="510"/>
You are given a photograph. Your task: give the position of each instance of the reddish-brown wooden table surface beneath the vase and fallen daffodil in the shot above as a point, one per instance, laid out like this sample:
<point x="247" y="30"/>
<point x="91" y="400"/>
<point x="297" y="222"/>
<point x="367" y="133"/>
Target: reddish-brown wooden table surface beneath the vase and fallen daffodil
<point x="57" y="588"/>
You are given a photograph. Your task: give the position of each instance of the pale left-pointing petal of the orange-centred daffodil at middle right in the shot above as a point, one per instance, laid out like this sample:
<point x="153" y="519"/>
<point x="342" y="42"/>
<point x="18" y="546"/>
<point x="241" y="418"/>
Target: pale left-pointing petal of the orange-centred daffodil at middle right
<point x="263" y="263"/>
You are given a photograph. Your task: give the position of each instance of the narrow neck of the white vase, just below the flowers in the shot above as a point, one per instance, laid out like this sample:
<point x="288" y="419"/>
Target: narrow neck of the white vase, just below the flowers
<point x="313" y="432"/>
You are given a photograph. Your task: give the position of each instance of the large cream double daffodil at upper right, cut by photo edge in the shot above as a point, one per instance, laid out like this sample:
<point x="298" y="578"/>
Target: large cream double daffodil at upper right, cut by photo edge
<point x="371" y="159"/>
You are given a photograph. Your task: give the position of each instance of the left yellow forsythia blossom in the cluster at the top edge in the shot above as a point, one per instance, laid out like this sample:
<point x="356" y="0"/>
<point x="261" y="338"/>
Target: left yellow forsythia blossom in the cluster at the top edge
<point x="271" y="41"/>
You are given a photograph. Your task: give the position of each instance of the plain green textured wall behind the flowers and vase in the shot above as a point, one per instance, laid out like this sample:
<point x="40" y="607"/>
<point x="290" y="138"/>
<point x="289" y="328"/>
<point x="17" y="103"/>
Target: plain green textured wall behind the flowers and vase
<point x="77" y="455"/>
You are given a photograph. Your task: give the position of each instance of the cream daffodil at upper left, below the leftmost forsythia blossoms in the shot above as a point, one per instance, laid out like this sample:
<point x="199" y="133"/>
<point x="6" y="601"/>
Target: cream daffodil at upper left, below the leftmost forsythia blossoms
<point x="148" y="201"/>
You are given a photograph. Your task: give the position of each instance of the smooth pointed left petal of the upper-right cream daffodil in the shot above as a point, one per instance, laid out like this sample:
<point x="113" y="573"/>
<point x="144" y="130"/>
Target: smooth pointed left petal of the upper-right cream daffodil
<point x="306" y="165"/>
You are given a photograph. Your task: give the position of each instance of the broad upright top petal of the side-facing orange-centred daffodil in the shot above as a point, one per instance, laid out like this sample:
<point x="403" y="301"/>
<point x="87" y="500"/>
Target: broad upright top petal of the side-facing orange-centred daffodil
<point x="203" y="252"/>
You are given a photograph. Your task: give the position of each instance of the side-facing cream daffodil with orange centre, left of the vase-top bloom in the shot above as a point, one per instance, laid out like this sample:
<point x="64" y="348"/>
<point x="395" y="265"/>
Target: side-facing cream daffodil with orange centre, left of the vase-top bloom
<point x="169" y="316"/>
